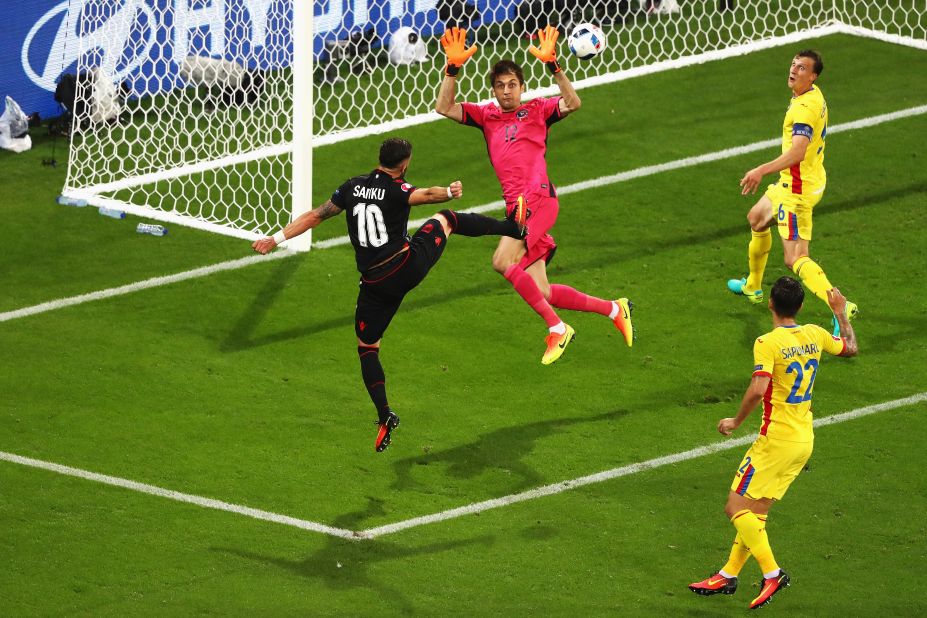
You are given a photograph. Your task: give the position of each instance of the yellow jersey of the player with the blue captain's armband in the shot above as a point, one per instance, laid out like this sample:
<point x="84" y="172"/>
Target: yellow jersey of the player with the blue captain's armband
<point x="807" y="116"/>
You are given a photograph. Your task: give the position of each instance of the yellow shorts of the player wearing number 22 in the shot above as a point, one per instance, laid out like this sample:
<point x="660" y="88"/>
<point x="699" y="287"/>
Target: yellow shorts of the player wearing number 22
<point x="769" y="467"/>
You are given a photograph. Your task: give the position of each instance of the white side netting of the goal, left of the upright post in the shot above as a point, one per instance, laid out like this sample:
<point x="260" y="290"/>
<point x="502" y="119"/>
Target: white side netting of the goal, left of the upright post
<point x="202" y="128"/>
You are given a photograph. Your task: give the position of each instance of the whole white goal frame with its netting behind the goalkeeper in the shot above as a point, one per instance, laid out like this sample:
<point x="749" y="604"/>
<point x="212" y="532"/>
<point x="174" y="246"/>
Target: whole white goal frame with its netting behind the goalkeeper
<point x="204" y="112"/>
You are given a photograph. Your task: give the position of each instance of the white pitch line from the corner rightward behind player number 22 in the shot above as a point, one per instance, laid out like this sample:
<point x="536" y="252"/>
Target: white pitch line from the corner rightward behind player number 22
<point x="556" y="488"/>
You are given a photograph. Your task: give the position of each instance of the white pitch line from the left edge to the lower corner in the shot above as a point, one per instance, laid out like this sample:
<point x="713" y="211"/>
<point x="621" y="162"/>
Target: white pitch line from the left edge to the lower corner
<point x="208" y="503"/>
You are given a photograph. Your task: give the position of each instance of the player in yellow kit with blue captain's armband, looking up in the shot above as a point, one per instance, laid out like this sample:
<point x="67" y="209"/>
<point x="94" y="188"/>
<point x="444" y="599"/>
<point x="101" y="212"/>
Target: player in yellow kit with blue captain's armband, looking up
<point x="789" y="202"/>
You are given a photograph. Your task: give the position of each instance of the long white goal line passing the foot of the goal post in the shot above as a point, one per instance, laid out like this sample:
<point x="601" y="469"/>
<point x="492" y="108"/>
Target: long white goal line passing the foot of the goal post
<point x="602" y="181"/>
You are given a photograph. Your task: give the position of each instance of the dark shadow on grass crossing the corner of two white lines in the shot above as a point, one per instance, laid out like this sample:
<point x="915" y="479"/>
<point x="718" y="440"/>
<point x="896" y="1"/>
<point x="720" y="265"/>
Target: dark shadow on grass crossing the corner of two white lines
<point x="342" y="564"/>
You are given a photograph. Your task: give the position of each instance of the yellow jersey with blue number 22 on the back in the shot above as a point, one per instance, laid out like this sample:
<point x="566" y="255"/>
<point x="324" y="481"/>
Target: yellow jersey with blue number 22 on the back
<point x="790" y="355"/>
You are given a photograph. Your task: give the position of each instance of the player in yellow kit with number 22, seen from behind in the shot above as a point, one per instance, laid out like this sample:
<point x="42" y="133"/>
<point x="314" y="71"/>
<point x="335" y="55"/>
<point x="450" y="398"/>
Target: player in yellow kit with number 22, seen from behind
<point x="785" y="367"/>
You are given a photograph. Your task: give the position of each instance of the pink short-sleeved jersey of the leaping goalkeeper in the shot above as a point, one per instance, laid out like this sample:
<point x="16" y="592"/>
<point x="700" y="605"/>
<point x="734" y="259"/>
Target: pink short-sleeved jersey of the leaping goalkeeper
<point x="517" y="144"/>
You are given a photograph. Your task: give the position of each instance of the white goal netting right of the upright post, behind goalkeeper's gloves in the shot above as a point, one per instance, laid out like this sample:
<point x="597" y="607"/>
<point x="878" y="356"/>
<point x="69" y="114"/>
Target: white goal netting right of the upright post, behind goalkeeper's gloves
<point x="350" y="84"/>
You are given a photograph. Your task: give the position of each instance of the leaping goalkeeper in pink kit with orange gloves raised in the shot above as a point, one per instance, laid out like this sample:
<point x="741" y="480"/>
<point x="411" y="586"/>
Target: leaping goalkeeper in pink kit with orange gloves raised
<point x="516" y="137"/>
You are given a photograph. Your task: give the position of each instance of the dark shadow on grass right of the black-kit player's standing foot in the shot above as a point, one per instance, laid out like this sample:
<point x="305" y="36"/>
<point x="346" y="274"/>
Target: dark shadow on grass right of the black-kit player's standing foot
<point x="500" y="450"/>
